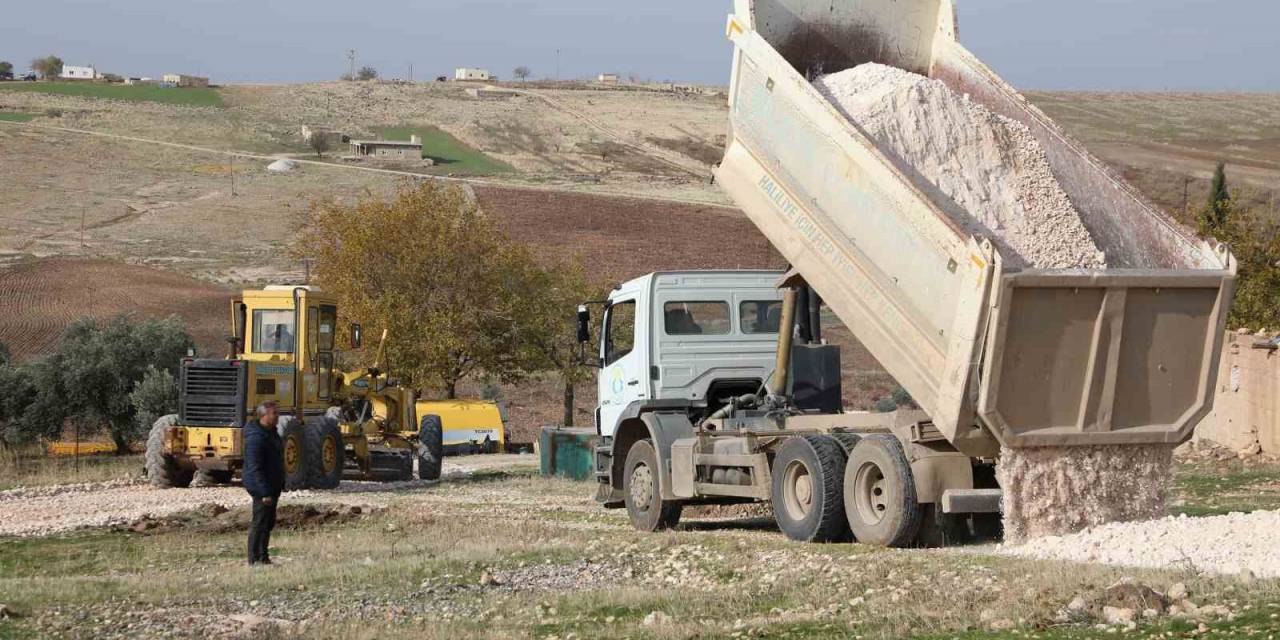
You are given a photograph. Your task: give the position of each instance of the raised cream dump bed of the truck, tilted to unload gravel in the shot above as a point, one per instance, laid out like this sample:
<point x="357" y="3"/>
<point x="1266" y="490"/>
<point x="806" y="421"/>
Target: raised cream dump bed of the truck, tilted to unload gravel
<point x="1126" y="355"/>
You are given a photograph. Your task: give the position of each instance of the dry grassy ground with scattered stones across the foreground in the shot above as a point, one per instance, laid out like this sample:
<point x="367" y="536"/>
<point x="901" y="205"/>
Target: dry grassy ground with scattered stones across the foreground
<point x="501" y="554"/>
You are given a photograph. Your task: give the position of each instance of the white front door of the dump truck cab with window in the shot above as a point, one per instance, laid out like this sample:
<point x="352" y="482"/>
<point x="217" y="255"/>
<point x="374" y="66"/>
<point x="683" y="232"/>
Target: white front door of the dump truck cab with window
<point x="623" y="356"/>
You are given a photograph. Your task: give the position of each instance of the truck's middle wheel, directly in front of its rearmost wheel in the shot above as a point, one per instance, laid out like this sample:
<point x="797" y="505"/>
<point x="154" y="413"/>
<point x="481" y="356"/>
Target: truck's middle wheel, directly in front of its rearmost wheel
<point x="808" y="487"/>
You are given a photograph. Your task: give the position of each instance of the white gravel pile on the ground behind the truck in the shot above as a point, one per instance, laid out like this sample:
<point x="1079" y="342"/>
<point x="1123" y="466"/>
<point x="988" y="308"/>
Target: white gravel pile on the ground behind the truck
<point x="1233" y="545"/>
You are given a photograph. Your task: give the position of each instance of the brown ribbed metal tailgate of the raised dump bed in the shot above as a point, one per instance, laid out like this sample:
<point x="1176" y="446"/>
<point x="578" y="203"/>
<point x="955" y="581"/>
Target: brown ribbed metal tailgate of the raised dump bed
<point x="1116" y="358"/>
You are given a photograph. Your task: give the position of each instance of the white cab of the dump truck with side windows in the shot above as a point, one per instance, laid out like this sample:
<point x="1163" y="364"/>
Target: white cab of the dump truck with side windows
<point x="687" y="341"/>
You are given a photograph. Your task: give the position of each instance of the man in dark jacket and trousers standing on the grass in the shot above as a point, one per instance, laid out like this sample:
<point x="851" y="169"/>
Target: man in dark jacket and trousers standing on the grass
<point x="264" y="478"/>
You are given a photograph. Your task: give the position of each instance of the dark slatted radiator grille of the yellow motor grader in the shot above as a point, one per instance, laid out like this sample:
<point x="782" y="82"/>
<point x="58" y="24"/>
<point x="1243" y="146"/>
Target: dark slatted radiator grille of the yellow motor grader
<point x="213" y="394"/>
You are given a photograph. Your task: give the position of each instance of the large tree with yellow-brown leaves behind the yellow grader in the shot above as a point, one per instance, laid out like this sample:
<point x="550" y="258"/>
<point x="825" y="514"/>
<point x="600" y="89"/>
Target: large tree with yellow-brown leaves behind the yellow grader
<point x="458" y="296"/>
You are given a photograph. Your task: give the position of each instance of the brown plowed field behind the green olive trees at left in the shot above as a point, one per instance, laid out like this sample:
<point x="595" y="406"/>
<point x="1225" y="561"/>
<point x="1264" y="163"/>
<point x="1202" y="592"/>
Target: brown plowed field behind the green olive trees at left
<point x="40" y="298"/>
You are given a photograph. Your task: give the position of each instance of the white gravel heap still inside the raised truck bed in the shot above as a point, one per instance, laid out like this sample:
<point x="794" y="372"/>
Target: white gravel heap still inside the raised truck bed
<point x="988" y="172"/>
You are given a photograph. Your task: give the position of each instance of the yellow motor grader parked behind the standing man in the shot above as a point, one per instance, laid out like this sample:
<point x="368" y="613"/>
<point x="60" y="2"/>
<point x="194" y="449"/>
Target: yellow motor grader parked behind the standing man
<point x="335" y="424"/>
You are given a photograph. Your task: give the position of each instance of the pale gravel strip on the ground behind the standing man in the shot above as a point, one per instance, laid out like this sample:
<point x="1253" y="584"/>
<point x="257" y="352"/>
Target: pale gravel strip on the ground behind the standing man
<point x="52" y="510"/>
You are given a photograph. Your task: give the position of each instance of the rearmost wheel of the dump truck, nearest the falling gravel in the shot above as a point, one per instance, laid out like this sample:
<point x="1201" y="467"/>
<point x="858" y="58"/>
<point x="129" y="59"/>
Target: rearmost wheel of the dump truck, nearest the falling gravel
<point x="880" y="493"/>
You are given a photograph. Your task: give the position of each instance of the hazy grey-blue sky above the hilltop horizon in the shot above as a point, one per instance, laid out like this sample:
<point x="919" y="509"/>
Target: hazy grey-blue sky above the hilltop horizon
<point x="1136" y="45"/>
